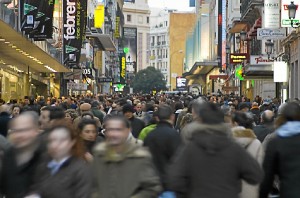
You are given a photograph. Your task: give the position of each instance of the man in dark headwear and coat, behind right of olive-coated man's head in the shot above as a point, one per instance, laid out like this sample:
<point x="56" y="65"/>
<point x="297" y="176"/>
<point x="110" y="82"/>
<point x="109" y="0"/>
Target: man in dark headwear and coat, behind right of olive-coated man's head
<point x="137" y="125"/>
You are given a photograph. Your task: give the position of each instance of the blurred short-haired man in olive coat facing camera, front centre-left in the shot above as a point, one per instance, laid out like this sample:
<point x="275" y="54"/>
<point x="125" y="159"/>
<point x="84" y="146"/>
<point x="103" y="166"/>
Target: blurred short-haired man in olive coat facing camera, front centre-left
<point x="121" y="167"/>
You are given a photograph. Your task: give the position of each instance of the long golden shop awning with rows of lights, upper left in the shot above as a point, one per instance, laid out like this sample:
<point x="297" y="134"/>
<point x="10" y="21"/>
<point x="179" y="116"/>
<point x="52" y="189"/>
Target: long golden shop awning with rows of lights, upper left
<point x="20" y="53"/>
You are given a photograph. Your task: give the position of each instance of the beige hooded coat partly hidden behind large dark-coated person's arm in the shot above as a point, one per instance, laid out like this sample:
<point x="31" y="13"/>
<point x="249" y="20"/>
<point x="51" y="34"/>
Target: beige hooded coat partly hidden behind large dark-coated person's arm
<point x="247" y="139"/>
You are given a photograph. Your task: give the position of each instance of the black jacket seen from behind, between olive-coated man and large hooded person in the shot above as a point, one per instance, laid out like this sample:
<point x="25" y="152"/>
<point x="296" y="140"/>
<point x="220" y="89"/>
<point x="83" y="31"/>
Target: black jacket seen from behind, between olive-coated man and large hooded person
<point x="163" y="142"/>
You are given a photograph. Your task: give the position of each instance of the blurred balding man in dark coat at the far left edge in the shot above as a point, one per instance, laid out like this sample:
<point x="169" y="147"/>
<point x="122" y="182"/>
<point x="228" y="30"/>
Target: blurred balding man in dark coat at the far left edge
<point x="20" y="161"/>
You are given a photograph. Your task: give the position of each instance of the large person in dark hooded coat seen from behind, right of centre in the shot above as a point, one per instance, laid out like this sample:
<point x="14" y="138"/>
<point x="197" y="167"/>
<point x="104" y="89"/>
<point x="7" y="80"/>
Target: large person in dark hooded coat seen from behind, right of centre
<point x="212" y="165"/>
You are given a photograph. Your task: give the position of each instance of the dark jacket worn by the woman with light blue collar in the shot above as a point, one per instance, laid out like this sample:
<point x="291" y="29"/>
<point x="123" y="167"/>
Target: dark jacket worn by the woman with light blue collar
<point x="73" y="180"/>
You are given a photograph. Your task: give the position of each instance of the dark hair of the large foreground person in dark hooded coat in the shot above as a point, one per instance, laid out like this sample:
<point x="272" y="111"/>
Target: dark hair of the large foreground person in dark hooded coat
<point x="209" y="113"/>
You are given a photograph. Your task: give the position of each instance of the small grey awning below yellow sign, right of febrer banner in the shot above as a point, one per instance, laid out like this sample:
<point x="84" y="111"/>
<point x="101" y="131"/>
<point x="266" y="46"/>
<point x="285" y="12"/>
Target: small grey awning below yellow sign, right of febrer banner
<point x="104" y="40"/>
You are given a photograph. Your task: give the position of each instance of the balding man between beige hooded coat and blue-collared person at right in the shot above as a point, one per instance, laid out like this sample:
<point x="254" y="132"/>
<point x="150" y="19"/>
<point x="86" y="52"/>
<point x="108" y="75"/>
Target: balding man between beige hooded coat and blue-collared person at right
<point x="266" y="127"/>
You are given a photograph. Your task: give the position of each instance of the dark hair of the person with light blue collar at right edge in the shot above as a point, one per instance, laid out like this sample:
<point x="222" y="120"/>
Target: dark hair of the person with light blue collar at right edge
<point x="290" y="112"/>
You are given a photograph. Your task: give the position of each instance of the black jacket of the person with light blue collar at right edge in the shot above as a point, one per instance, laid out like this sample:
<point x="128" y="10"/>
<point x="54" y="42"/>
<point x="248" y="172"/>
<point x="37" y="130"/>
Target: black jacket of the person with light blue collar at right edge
<point x="283" y="159"/>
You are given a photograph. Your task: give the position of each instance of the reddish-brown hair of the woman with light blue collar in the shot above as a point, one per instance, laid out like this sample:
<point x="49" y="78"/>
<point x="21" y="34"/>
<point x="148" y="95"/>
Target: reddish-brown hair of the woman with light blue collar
<point x="78" y="148"/>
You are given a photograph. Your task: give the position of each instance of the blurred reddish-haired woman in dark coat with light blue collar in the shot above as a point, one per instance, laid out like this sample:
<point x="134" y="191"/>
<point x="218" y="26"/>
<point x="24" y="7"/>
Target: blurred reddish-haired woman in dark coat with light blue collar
<point x="64" y="173"/>
